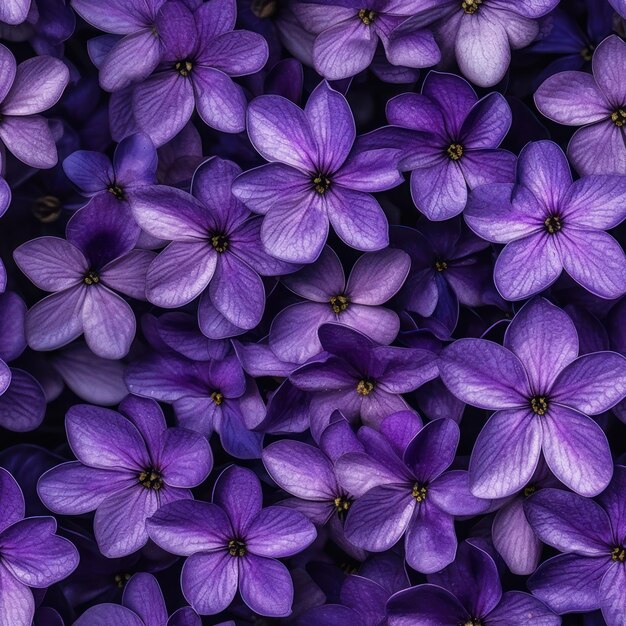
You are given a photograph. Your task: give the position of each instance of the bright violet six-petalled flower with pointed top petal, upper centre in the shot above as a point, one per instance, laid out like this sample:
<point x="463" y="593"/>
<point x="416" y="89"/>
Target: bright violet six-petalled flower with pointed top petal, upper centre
<point x="318" y="174"/>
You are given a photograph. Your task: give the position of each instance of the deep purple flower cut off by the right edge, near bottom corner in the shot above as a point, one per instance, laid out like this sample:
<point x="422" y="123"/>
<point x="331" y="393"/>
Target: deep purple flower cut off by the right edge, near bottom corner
<point x="591" y="572"/>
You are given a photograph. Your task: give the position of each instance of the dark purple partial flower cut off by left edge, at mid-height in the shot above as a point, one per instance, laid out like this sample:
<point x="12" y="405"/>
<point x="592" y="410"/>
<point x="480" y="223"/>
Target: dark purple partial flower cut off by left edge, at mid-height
<point x="22" y="400"/>
